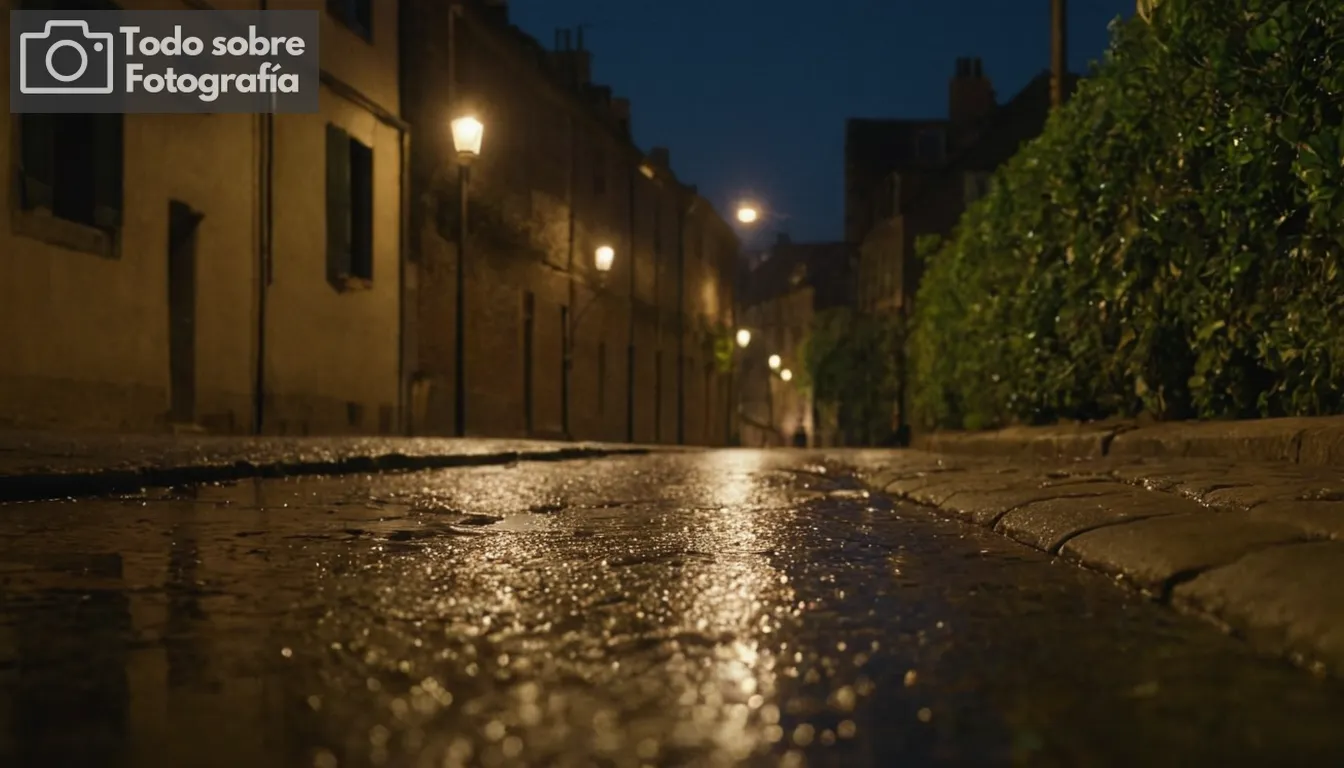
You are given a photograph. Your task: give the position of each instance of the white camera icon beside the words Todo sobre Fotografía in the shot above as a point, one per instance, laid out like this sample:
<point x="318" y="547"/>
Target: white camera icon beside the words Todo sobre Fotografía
<point x="38" y="60"/>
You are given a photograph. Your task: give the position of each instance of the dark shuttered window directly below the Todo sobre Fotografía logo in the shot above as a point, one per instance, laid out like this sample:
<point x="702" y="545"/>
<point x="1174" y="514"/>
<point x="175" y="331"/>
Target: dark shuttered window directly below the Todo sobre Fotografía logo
<point x="72" y="166"/>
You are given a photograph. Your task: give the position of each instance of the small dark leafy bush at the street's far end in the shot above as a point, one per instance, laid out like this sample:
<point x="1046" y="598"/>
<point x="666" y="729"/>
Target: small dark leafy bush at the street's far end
<point x="850" y="364"/>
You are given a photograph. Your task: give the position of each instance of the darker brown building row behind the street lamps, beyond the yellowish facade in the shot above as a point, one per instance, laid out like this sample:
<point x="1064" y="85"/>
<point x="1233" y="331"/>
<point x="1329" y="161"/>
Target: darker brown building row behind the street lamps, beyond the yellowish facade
<point x="552" y="346"/>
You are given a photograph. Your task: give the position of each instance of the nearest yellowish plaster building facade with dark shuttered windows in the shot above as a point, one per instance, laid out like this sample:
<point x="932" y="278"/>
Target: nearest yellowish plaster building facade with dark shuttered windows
<point x="179" y="271"/>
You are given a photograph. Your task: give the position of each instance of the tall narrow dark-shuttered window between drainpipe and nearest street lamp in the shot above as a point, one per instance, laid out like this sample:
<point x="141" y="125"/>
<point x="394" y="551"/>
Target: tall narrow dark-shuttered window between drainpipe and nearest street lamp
<point x="350" y="210"/>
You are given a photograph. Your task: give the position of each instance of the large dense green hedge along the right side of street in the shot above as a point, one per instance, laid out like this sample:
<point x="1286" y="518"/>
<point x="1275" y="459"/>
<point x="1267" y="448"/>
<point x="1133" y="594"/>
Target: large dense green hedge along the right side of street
<point x="1171" y="244"/>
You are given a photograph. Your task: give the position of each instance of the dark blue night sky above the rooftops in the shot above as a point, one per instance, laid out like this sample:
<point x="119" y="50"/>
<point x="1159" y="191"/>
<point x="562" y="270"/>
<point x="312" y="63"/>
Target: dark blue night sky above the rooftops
<point x="752" y="96"/>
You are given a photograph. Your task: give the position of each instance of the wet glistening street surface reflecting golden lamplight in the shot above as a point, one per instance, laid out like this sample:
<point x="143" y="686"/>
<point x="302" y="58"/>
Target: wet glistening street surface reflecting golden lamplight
<point x="712" y="609"/>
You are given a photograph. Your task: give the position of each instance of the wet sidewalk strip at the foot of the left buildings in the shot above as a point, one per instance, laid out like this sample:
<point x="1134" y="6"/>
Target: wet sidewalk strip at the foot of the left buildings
<point x="48" y="466"/>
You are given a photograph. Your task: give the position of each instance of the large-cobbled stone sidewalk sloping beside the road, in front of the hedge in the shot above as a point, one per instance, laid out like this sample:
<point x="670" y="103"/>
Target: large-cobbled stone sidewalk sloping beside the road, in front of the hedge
<point x="1259" y="548"/>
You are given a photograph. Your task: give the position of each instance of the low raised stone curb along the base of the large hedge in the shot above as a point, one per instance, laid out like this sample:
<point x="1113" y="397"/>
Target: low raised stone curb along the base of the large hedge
<point x="1307" y="442"/>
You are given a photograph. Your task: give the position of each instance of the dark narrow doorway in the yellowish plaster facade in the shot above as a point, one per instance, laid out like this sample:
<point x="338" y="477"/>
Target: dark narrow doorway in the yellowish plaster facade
<point x="183" y="223"/>
